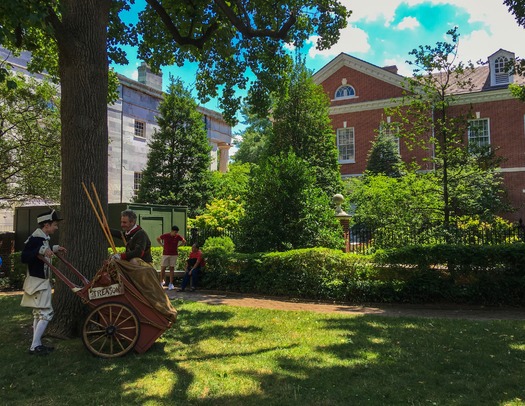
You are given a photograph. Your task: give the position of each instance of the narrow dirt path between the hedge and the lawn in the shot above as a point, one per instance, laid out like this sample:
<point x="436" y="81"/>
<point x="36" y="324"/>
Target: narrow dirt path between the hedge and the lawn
<point x="433" y="311"/>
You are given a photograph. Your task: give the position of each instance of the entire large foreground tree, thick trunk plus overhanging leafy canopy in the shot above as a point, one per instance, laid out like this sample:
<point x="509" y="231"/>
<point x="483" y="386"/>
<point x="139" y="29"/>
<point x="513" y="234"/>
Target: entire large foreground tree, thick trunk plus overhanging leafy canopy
<point x="75" y="39"/>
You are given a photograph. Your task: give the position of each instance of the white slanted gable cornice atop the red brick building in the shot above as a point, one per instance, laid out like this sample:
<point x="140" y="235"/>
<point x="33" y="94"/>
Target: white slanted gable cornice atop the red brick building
<point x="361" y="66"/>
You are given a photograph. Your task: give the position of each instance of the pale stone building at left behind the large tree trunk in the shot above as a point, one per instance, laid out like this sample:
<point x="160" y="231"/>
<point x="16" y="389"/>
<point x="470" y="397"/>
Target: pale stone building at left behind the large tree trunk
<point x="131" y="123"/>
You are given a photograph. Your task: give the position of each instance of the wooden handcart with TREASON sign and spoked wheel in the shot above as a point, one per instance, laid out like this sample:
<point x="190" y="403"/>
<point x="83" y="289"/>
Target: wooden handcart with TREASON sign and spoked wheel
<point x="121" y="318"/>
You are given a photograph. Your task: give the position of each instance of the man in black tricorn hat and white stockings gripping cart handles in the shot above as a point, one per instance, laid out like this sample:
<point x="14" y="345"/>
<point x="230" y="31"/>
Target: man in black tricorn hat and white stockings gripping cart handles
<point x="38" y="275"/>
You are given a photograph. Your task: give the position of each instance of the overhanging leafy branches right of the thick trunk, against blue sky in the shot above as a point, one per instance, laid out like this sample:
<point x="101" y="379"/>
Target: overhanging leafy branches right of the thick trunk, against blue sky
<point x="226" y="39"/>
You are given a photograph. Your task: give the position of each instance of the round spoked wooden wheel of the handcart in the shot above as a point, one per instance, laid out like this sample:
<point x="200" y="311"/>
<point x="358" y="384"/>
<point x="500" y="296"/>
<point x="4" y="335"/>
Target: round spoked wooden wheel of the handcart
<point x="111" y="330"/>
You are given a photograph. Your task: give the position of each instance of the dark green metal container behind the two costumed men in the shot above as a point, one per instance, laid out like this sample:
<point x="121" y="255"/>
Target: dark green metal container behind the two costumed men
<point x="154" y="219"/>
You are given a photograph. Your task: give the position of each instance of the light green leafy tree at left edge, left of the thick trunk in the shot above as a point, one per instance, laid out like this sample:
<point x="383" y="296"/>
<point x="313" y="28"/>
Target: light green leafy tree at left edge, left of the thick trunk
<point x="29" y="139"/>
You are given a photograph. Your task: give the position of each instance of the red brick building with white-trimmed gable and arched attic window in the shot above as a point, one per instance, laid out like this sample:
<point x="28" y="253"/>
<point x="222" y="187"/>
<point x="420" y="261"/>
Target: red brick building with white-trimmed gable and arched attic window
<point x="359" y="92"/>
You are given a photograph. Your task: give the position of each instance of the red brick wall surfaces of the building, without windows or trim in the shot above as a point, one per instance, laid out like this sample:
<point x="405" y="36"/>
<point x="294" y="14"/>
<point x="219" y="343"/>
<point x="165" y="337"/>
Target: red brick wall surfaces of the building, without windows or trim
<point x="506" y="117"/>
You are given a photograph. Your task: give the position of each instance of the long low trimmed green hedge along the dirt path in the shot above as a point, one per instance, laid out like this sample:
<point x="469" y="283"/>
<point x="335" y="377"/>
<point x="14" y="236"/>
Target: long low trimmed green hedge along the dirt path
<point x="418" y="274"/>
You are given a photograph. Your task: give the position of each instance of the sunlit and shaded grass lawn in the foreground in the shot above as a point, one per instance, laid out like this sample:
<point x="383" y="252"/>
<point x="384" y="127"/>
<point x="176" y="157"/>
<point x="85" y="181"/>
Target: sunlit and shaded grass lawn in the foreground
<point x="220" y="355"/>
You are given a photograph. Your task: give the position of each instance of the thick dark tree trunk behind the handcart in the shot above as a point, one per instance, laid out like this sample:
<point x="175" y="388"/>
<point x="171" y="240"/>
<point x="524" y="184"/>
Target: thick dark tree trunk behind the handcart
<point x="81" y="39"/>
